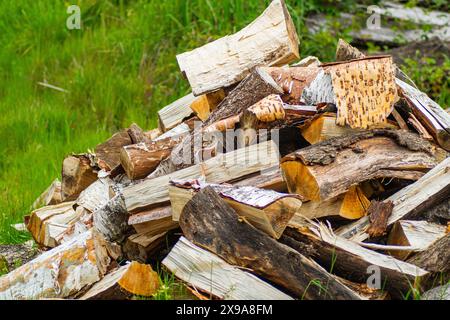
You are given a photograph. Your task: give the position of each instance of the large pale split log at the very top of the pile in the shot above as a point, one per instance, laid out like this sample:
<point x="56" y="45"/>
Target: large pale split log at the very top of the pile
<point x="228" y="60"/>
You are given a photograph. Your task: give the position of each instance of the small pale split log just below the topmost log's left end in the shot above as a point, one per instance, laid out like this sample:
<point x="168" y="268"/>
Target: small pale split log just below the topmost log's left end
<point x="173" y="114"/>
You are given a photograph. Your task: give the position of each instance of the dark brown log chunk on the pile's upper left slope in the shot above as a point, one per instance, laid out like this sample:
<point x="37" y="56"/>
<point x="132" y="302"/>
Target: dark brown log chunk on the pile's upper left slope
<point x="108" y="152"/>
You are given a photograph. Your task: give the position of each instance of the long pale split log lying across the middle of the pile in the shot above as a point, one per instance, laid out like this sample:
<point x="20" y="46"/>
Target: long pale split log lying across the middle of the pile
<point x="219" y="169"/>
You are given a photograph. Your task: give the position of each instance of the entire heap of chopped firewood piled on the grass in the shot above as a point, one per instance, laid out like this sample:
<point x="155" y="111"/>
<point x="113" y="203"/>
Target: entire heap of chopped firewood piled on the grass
<point x="273" y="179"/>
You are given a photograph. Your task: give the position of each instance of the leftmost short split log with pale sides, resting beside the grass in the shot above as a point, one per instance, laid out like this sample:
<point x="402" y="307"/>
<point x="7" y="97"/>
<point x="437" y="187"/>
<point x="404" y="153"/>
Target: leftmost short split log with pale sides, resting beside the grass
<point x="47" y="223"/>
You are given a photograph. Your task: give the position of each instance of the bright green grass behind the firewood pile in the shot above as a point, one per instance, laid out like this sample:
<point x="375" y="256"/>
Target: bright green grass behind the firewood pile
<point x="119" y="68"/>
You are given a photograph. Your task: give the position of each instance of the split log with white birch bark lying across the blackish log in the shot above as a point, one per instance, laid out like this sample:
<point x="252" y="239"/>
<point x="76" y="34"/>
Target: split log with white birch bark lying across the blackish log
<point x="266" y="210"/>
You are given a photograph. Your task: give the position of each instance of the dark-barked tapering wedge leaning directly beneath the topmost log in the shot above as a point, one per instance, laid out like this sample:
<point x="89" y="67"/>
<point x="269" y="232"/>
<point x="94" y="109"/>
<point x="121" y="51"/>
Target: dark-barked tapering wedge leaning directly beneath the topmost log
<point x="256" y="86"/>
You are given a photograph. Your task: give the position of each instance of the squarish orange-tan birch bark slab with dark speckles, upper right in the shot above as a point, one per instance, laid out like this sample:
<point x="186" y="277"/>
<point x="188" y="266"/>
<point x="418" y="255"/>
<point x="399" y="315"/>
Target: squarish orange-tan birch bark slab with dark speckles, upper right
<point x="364" y="90"/>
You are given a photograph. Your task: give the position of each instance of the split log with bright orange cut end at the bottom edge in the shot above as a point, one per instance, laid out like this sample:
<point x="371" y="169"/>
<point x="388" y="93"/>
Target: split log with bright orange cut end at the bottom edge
<point x="133" y="279"/>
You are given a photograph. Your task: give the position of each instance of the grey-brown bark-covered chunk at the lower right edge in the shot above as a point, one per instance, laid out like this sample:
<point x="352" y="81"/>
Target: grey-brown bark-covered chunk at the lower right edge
<point x="436" y="258"/>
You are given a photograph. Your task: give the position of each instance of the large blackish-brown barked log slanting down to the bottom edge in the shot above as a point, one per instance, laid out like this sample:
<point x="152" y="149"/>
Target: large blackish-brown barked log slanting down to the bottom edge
<point x="211" y="223"/>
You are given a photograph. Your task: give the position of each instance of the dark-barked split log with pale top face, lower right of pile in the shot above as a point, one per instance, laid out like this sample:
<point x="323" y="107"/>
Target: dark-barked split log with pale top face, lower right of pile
<point x="348" y="259"/>
